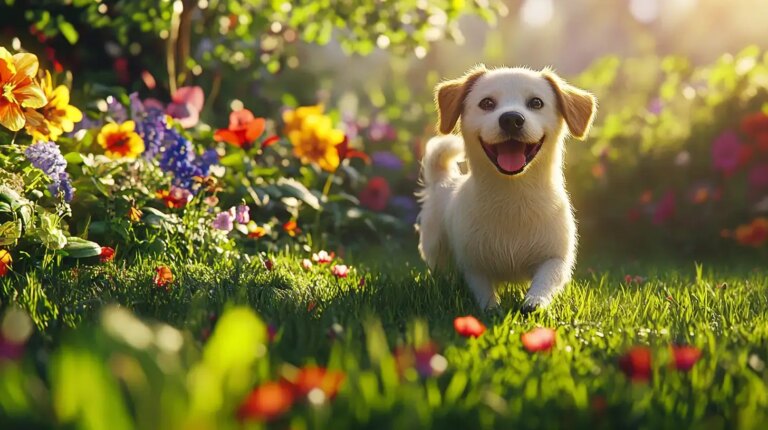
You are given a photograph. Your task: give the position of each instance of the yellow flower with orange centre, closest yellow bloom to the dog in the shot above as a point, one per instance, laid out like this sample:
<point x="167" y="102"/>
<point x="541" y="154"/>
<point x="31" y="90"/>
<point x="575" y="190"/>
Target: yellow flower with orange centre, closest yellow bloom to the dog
<point x="313" y="137"/>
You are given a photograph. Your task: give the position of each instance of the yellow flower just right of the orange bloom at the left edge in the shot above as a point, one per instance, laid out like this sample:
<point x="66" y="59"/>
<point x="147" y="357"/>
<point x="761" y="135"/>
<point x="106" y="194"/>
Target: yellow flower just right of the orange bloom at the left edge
<point x="54" y="118"/>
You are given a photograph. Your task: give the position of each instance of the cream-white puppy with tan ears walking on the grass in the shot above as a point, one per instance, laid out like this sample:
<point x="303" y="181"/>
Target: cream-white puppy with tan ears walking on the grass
<point x="509" y="218"/>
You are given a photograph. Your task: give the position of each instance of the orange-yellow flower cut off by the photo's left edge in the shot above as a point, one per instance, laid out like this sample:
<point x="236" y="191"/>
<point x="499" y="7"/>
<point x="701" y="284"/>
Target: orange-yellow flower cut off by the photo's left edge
<point x="18" y="89"/>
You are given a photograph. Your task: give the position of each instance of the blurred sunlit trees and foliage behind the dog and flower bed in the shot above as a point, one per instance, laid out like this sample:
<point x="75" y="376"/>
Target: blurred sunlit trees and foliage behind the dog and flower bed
<point x="676" y="164"/>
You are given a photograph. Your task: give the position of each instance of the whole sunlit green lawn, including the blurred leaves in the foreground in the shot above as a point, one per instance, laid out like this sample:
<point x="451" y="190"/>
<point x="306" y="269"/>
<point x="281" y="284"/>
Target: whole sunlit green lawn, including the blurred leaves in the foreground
<point x="381" y="327"/>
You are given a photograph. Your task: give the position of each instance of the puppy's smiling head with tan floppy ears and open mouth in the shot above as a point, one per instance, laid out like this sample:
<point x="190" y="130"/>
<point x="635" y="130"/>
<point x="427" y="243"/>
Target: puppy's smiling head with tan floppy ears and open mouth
<point x="511" y="116"/>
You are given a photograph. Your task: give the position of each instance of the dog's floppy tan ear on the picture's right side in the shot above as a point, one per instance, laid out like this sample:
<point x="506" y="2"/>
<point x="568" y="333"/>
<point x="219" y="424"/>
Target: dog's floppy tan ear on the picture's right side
<point x="577" y="106"/>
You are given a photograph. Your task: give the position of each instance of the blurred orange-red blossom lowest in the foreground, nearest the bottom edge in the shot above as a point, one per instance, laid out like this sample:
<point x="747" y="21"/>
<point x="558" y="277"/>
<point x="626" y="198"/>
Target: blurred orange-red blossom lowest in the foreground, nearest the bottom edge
<point x="267" y="402"/>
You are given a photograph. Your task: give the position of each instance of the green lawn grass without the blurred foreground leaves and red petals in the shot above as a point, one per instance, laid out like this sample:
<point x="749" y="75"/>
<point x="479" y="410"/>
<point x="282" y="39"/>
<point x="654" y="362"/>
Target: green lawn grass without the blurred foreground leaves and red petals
<point x="490" y="382"/>
